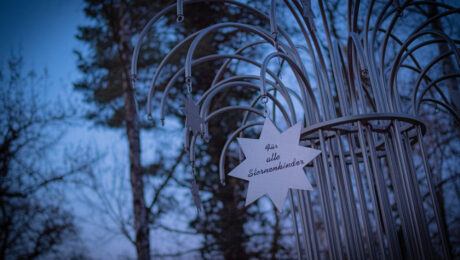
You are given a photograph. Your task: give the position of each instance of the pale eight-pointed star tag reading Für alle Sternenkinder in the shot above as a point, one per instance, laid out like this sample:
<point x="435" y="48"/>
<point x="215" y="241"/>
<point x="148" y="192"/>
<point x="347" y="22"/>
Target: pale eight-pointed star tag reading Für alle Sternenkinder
<point x="274" y="163"/>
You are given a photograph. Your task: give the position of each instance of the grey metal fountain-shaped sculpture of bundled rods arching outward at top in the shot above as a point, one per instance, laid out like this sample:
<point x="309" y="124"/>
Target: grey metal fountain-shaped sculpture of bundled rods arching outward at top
<point x="366" y="183"/>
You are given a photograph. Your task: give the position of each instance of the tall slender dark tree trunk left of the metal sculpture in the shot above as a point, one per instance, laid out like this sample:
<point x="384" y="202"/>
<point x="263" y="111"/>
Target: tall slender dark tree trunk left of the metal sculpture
<point x="132" y="131"/>
